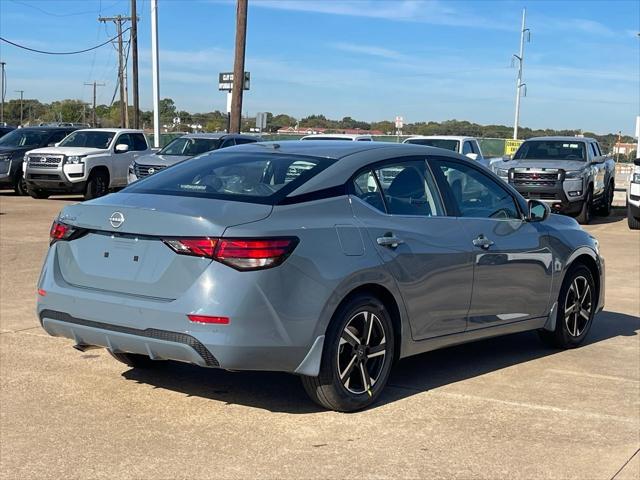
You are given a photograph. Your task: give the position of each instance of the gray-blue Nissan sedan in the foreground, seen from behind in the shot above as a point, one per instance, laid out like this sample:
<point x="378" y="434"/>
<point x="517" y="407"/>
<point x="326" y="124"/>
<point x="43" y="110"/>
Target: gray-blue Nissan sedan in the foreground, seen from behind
<point x="231" y="260"/>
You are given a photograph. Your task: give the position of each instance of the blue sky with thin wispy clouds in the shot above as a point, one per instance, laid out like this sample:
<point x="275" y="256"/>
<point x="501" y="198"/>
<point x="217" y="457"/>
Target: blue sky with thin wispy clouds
<point x="367" y="59"/>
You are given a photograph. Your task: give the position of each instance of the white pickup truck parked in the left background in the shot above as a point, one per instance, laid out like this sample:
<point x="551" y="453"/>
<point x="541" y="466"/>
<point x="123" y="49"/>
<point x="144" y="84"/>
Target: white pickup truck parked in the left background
<point x="89" y="161"/>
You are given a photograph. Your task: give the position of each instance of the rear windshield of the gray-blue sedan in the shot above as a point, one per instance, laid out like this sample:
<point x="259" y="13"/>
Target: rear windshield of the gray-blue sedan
<point x="254" y="177"/>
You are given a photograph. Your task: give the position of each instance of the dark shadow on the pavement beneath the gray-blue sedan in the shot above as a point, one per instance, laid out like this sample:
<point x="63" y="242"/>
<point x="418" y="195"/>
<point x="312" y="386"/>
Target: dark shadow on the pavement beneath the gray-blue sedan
<point x="281" y="392"/>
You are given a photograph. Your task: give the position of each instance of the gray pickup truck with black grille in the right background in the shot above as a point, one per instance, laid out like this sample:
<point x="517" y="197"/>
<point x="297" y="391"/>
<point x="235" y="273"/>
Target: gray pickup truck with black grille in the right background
<point x="571" y="174"/>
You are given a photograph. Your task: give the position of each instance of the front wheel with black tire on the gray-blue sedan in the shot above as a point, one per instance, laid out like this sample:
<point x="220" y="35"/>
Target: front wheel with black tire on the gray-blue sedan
<point x="573" y="326"/>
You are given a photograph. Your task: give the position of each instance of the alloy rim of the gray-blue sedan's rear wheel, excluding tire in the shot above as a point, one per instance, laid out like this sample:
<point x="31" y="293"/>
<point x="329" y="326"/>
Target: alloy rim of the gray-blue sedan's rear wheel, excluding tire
<point x="362" y="352"/>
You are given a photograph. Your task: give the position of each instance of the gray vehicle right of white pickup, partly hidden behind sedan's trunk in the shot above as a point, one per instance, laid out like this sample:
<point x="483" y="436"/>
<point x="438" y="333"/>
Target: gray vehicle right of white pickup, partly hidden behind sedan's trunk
<point x="184" y="147"/>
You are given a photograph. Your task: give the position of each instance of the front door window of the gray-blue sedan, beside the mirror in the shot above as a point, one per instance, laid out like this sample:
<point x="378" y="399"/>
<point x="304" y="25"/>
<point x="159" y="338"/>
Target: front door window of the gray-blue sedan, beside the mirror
<point x="473" y="193"/>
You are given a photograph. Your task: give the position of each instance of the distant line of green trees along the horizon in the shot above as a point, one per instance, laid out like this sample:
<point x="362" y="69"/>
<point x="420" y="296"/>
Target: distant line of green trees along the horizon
<point x="34" y="112"/>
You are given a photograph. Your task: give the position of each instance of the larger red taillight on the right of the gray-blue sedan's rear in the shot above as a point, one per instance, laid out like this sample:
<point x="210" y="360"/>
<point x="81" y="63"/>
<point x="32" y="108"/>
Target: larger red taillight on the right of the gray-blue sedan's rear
<point x="239" y="253"/>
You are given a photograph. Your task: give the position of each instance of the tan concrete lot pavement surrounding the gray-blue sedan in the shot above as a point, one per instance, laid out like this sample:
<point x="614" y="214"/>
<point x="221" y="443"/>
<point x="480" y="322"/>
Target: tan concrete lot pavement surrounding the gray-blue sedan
<point x="502" y="408"/>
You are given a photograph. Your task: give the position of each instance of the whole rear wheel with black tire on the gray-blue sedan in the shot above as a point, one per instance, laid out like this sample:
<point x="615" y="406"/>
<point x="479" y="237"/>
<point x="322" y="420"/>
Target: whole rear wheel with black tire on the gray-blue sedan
<point x="347" y="351"/>
